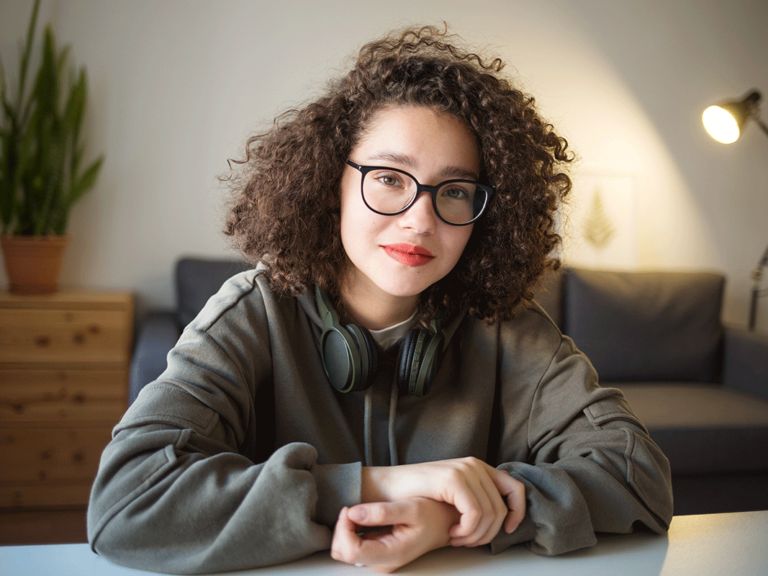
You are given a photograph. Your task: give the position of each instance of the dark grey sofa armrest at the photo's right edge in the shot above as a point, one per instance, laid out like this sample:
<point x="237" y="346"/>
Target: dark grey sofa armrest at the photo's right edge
<point x="745" y="361"/>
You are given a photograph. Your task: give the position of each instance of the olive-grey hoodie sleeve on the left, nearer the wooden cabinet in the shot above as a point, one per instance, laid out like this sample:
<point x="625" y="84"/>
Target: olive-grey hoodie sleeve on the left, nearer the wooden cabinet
<point x="190" y="482"/>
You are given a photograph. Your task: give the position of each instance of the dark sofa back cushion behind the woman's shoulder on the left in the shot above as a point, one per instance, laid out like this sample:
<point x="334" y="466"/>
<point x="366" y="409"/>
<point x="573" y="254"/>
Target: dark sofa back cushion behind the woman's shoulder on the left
<point x="198" y="279"/>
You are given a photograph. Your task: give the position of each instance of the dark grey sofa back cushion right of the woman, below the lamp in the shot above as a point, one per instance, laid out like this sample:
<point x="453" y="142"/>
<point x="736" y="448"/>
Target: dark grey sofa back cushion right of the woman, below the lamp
<point x="650" y="326"/>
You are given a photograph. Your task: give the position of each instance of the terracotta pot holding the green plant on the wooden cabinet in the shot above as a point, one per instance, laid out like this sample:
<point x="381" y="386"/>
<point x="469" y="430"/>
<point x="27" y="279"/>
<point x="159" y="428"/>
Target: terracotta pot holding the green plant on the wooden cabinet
<point x="33" y="263"/>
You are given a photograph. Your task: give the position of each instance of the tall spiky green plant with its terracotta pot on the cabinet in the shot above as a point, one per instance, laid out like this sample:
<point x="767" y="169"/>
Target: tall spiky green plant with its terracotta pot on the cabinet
<point x="41" y="154"/>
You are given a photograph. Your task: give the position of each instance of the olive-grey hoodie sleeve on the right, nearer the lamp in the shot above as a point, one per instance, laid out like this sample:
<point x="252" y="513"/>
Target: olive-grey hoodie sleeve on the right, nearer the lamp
<point x="591" y="465"/>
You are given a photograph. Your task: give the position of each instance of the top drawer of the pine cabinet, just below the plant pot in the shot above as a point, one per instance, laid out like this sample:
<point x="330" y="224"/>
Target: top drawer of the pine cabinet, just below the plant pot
<point x="32" y="335"/>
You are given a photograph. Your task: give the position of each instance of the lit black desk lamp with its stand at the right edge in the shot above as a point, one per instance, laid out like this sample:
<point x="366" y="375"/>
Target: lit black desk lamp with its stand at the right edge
<point x="724" y="123"/>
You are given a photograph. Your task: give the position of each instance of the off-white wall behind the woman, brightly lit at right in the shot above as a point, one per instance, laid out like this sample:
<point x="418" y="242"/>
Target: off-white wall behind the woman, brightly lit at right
<point x="176" y="86"/>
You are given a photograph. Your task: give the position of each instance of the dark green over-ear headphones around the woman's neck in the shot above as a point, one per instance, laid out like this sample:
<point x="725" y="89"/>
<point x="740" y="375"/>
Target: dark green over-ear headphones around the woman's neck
<point x="350" y="356"/>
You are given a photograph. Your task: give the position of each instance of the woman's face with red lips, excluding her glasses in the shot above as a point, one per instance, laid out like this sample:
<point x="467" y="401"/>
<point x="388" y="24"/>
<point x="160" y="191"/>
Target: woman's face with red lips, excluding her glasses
<point x="397" y="257"/>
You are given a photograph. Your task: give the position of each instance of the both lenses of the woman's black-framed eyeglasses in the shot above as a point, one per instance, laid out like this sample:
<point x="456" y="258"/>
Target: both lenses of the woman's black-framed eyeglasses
<point x="389" y="191"/>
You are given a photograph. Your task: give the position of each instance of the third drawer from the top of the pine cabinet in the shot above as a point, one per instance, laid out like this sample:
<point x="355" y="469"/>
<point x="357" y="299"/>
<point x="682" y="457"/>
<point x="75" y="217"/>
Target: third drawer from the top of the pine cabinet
<point x="50" y="456"/>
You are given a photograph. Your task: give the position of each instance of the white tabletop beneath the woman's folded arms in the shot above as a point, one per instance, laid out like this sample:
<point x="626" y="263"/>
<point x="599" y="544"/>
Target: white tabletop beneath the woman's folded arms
<point x="711" y="544"/>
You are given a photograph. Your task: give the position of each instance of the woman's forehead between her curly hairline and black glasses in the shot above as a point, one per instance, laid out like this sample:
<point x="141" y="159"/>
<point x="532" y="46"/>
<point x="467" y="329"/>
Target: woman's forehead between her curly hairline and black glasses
<point x="418" y="137"/>
